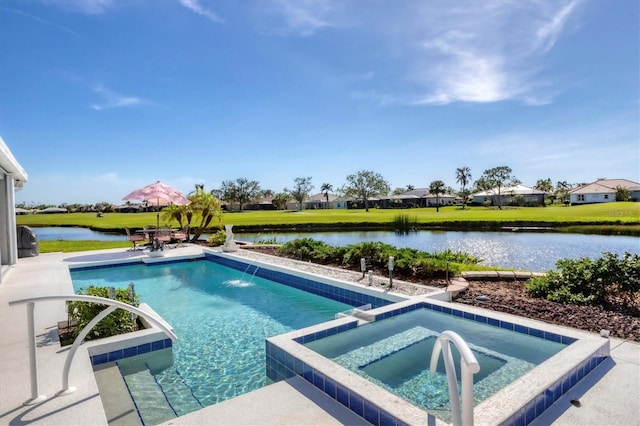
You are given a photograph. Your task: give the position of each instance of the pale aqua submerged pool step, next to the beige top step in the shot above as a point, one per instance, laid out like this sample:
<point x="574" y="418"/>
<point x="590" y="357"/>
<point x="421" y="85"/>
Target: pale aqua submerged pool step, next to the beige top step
<point x="149" y="398"/>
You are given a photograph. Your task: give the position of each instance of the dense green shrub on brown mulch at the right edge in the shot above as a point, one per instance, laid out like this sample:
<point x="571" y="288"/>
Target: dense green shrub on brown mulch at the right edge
<point x="590" y="281"/>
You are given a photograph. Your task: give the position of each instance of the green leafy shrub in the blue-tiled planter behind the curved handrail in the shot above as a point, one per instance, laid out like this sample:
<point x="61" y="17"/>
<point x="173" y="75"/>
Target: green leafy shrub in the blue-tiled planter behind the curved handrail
<point x="117" y="322"/>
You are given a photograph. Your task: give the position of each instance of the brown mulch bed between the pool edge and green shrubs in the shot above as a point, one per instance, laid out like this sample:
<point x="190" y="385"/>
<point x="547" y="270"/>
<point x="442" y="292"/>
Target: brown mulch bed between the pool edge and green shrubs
<point x="511" y="297"/>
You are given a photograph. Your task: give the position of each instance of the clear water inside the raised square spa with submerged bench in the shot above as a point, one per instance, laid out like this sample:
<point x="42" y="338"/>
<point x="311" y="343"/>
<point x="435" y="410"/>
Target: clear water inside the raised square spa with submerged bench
<point x="395" y="353"/>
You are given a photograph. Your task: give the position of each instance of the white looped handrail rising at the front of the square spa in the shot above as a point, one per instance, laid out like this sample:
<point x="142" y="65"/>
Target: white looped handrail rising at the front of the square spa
<point x="468" y="367"/>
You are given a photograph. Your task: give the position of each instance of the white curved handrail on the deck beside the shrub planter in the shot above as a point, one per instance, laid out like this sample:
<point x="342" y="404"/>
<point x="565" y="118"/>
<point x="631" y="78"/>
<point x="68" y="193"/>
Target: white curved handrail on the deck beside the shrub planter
<point x="112" y="306"/>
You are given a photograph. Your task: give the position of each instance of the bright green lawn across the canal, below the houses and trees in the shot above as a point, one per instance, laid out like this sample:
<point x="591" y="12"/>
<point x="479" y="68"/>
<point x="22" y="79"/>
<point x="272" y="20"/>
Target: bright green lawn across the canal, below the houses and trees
<point x="620" y="218"/>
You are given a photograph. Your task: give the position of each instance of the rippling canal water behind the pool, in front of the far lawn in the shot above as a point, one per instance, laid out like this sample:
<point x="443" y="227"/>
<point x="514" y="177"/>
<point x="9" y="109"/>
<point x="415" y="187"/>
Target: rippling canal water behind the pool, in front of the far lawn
<point x="529" y="251"/>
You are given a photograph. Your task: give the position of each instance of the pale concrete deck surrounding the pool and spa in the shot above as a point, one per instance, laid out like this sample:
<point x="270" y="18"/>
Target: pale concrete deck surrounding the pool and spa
<point x="609" y="395"/>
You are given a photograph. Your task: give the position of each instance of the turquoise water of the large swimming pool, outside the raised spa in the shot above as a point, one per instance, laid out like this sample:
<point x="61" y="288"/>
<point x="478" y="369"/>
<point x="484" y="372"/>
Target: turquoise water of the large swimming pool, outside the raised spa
<point x="221" y="317"/>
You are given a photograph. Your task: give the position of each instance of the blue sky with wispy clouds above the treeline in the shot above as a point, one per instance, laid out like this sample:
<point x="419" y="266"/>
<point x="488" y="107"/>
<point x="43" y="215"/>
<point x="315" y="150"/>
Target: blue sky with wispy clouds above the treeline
<point x="100" y="97"/>
